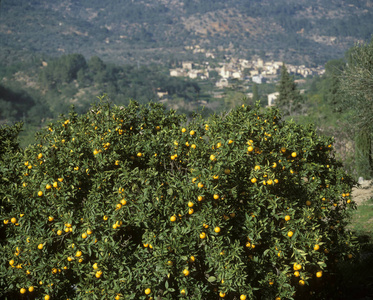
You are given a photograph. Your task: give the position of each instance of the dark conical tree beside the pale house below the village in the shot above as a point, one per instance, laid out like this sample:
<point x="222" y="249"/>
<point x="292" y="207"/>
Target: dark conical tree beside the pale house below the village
<point x="289" y="99"/>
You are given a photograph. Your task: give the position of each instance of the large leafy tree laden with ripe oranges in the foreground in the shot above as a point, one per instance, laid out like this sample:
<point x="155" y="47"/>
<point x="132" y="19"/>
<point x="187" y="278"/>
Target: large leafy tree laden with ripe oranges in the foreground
<point x="138" y="203"/>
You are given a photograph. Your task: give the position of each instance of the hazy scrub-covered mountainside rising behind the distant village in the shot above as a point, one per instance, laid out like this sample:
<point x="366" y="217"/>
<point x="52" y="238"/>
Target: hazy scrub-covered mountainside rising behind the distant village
<point x="296" y="31"/>
